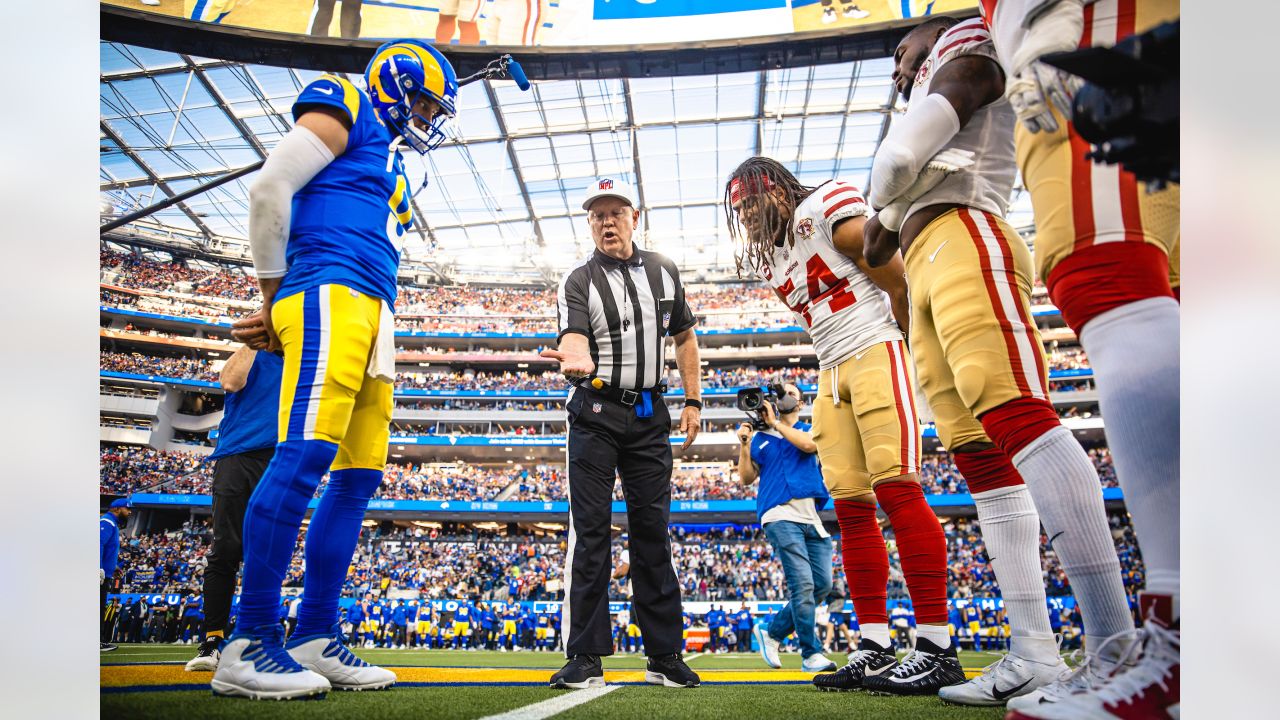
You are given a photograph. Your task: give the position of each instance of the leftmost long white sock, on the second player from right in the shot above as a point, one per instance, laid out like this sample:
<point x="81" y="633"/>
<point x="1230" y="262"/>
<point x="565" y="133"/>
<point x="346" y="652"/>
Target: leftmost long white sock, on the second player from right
<point x="1011" y="528"/>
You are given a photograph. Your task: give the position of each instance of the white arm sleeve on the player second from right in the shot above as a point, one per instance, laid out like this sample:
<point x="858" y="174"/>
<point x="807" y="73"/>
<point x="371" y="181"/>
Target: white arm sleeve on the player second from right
<point x="917" y="136"/>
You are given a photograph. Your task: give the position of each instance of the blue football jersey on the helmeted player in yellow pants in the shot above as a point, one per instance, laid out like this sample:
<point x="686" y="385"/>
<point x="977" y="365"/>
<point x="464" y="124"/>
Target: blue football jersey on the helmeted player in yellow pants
<point x="349" y="224"/>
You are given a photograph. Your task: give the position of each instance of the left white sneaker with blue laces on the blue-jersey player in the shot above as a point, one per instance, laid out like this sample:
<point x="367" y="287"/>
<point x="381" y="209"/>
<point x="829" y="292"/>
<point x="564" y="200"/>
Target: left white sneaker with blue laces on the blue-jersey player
<point x="257" y="667"/>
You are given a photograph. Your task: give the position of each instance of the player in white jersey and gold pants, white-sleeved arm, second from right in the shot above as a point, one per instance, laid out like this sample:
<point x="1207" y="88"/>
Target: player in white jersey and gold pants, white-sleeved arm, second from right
<point x="980" y="354"/>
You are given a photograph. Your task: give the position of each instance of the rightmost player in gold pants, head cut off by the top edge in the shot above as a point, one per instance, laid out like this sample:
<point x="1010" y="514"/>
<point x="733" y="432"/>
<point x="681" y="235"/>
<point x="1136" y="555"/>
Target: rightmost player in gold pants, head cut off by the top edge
<point x="1107" y="249"/>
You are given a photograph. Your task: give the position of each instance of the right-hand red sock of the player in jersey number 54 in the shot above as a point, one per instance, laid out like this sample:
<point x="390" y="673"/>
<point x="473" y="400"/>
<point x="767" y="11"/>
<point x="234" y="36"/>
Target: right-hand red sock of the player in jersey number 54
<point x="921" y="546"/>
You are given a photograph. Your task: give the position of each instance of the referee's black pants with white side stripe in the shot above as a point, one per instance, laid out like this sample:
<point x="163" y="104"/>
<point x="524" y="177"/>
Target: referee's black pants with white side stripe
<point x="606" y="438"/>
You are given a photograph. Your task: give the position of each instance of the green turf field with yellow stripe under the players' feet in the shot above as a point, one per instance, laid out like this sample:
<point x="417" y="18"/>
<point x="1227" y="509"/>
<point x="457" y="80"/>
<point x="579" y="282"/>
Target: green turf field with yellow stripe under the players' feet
<point x="148" y="681"/>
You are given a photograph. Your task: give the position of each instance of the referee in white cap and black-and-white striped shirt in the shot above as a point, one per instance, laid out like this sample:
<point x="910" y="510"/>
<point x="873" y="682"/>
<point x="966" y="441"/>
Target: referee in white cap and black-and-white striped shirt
<point x="616" y="309"/>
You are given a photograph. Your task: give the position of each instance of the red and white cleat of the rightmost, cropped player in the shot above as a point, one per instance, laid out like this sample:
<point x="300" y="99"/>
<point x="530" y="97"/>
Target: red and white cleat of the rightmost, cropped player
<point x="1149" y="690"/>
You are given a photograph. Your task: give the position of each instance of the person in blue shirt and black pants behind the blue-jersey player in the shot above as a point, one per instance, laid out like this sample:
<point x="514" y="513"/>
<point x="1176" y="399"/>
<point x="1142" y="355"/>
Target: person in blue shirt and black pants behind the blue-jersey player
<point x="246" y="443"/>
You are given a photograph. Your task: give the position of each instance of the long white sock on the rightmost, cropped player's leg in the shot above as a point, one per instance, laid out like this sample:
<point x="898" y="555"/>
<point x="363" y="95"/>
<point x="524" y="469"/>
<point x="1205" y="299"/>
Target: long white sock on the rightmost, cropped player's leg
<point x="1135" y="354"/>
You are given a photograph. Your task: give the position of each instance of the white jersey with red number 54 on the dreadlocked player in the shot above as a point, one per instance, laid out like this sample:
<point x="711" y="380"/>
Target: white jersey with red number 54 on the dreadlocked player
<point x="842" y="308"/>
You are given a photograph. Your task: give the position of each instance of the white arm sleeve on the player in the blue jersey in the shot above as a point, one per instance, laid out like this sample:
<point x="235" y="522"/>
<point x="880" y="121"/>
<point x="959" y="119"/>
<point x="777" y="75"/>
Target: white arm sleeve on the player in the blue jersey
<point x="291" y="166"/>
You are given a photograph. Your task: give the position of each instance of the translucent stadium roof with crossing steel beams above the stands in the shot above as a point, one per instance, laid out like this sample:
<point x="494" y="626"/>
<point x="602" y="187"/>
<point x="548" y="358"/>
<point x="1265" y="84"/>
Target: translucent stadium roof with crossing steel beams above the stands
<point x="504" y="194"/>
